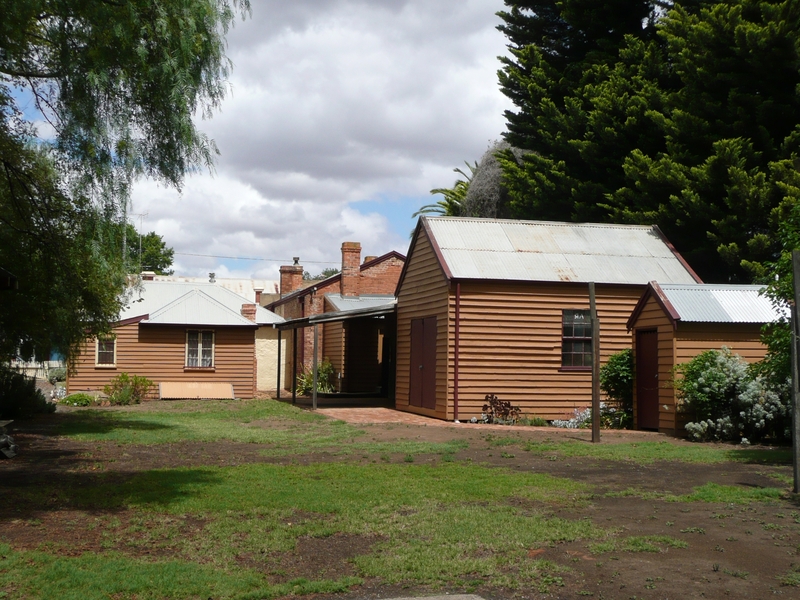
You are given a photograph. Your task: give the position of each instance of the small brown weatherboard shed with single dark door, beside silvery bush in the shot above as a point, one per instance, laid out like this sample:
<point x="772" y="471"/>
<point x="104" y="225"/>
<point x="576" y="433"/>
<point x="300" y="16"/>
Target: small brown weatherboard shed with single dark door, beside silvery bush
<point x="673" y="323"/>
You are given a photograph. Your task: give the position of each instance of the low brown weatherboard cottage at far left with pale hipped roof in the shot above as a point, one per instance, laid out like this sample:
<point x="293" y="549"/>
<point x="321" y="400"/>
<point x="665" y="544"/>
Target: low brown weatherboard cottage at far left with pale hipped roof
<point x="193" y="340"/>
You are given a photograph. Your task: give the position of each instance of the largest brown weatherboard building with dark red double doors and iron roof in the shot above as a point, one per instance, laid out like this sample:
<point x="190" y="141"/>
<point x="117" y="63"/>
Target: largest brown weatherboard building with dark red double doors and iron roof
<point x="489" y="306"/>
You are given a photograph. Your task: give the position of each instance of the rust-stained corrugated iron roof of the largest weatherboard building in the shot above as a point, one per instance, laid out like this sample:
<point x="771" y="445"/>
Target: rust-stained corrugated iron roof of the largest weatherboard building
<point x="551" y="251"/>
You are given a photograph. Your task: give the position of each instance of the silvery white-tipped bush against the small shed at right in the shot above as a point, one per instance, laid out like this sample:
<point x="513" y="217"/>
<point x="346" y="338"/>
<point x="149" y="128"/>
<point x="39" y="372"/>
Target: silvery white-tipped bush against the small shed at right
<point x="727" y="400"/>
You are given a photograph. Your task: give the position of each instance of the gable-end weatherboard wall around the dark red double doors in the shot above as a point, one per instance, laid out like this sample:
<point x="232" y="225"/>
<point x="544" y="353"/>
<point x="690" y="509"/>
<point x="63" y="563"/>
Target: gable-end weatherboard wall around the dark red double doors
<point x="424" y="293"/>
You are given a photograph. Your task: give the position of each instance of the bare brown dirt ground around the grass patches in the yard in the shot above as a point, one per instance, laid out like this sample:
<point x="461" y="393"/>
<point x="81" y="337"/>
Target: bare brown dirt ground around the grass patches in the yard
<point x="735" y="551"/>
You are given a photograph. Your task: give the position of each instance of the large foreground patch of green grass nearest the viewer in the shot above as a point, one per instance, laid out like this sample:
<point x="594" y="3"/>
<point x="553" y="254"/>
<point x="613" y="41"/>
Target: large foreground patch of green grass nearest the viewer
<point x="428" y="524"/>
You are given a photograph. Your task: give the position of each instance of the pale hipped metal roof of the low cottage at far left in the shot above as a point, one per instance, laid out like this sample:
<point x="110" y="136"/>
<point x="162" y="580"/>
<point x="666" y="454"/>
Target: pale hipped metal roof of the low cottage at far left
<point x="182" y="303"/>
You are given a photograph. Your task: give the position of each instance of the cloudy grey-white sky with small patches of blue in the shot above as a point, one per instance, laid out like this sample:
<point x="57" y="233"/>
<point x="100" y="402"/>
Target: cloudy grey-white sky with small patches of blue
<point x="342" y="115"/>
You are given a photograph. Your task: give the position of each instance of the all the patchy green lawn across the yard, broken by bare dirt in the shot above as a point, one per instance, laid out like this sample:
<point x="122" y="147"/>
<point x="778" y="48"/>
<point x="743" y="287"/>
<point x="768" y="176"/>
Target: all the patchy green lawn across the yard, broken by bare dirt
<point x="429" y="518"/>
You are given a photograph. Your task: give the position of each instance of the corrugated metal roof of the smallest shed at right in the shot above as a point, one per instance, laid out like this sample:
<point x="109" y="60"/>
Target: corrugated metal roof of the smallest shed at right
<point x="718" y="303"/>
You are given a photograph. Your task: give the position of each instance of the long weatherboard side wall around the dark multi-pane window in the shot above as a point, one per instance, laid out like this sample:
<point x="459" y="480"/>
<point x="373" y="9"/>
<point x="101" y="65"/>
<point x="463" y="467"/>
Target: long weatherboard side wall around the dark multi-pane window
<point x="510" y="344"/>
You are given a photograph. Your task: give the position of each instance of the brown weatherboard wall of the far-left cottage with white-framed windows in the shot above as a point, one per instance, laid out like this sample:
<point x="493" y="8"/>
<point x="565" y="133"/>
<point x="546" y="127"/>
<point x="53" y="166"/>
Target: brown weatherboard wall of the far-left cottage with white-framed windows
<point x="158" y="353"/>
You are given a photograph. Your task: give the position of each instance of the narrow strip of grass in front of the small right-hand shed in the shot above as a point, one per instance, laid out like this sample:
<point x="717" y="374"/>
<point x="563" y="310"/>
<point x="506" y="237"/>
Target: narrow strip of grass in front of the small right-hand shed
<point x="650" y="452"/>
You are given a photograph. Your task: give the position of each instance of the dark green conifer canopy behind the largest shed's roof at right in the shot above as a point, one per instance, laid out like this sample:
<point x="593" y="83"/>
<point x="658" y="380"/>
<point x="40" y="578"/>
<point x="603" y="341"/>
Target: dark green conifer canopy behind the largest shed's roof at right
<point x="685" y="115"/>
